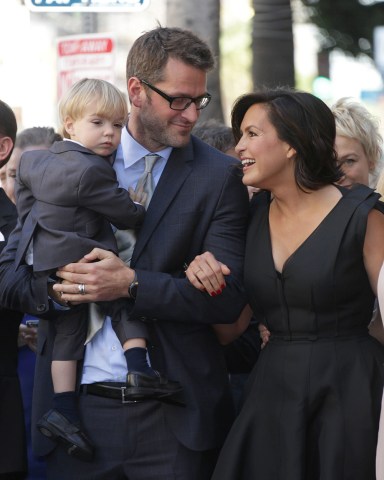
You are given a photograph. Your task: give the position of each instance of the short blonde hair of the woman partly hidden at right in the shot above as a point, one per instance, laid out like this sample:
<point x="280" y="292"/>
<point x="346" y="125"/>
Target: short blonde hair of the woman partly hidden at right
<point x="353" y="120"/>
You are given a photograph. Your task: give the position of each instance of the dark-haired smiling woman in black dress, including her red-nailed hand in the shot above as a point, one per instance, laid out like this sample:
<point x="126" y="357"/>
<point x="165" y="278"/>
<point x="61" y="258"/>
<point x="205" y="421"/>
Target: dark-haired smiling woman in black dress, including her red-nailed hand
<point x="313" y="255"/>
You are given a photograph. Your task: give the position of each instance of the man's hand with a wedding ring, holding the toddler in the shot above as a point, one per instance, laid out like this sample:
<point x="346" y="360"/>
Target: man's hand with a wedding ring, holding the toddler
<point x="104" y="276"/>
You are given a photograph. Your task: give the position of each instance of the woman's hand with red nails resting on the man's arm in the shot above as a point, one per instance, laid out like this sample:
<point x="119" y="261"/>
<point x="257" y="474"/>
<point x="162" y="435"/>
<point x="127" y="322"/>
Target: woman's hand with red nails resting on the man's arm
<point x="207" y="274"/>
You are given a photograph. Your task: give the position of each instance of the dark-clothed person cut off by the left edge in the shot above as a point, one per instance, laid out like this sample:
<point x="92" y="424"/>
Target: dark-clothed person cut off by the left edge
<point x="13" y="451"/>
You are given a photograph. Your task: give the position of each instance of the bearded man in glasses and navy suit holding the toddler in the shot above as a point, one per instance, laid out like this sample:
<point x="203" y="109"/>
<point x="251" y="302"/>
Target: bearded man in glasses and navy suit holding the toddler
<point x="199" y="203"/>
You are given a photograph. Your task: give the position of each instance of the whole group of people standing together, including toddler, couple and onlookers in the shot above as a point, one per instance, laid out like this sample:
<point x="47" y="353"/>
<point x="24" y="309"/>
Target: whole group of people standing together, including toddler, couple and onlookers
<point x="148" y="259"/>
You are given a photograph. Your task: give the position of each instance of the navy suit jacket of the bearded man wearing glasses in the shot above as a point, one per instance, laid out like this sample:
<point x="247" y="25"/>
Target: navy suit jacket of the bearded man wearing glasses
<point x="199" y="204"/>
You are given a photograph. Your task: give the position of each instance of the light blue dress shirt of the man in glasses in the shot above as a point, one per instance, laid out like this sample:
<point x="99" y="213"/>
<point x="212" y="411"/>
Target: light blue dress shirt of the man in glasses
<point x="104" y="357"/>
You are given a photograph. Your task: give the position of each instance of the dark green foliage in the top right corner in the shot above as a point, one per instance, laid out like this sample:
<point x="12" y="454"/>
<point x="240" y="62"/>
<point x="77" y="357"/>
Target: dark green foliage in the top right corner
<point x="346" y="24"/>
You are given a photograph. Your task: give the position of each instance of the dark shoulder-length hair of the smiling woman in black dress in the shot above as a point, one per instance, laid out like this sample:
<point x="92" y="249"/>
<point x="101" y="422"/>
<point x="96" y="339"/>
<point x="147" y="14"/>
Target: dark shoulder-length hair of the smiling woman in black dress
<point x="305" y="123"/>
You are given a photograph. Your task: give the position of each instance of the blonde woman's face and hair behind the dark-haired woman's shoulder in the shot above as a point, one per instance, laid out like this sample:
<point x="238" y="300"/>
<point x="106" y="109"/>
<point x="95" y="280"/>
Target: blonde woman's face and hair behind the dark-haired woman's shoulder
<point x="358" y="142"/>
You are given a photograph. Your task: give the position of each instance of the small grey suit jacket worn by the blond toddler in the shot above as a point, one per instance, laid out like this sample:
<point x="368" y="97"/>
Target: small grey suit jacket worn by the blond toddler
<point x="67" y="197"/>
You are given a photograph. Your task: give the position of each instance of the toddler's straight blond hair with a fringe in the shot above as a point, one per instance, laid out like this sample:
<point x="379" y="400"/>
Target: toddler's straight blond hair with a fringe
<point x="111" y="102"/>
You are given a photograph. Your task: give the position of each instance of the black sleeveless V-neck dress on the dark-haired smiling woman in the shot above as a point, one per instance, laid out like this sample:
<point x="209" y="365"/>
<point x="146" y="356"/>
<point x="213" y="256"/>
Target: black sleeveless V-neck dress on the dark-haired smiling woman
<point x="314" y="397"/>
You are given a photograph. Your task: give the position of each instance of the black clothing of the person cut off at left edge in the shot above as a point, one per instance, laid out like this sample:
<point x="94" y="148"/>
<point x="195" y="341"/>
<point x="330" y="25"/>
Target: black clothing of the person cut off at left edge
<point x="13" y="447"/>
